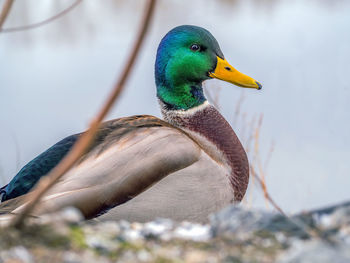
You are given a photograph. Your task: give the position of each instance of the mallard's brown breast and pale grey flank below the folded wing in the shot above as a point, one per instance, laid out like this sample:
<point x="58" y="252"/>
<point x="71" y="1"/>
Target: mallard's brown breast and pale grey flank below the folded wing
<point x="204" y="186"/>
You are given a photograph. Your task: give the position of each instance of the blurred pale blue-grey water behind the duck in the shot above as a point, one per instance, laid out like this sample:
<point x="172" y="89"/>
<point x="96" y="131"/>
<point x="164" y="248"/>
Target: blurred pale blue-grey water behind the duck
<point x="53" y="79"/>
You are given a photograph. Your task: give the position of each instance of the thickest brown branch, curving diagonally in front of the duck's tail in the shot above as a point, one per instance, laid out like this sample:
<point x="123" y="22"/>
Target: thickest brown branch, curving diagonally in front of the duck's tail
<point x="83" y="143"/>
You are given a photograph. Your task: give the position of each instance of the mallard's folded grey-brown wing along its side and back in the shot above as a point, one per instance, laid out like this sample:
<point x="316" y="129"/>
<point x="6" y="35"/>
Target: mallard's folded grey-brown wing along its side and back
<point x="129" y="156"/>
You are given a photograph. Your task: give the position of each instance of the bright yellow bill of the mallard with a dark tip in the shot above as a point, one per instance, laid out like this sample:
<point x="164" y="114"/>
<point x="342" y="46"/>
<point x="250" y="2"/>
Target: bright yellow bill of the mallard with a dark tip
<point x="226" y="72"/>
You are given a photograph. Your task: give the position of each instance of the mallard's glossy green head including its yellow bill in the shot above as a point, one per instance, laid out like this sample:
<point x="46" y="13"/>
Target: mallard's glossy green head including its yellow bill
<point x="187" y="56"/>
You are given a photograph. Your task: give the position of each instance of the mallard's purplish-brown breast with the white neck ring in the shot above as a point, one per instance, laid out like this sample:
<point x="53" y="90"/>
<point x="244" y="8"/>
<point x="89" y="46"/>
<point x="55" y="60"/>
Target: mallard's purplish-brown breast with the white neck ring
<point x="208" y="126"/>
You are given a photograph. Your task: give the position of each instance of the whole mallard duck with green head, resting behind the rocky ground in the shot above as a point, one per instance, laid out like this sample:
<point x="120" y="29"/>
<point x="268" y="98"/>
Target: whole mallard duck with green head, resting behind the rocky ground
<point x="183" y="167"/>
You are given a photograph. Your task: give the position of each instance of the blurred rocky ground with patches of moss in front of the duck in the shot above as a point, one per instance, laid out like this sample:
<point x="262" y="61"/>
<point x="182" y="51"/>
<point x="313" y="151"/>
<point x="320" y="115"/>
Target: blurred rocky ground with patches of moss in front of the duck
<point x="233" y="235"/>
